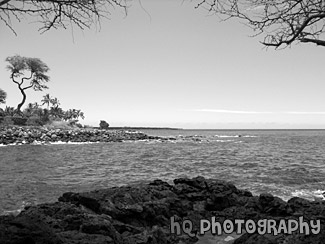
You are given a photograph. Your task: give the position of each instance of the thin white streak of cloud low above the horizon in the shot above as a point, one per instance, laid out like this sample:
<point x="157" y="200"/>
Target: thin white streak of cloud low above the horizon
<point x="257" y="112"/>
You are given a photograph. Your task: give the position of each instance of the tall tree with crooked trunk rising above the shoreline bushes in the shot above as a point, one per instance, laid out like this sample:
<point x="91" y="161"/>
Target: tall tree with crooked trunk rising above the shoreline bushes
<point x="27" y="69"/>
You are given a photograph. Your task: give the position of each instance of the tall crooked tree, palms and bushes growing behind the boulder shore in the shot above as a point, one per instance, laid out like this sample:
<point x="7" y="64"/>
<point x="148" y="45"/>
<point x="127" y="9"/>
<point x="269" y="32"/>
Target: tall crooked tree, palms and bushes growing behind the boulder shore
<point x="29" y="73"/>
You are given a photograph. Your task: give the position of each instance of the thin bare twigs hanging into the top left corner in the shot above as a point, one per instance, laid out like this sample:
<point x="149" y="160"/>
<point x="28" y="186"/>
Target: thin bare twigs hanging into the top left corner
<point x="58" y="14"/>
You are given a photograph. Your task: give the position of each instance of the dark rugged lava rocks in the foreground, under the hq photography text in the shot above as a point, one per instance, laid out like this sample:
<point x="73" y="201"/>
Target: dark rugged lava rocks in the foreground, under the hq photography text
<point x="147" y="213"/>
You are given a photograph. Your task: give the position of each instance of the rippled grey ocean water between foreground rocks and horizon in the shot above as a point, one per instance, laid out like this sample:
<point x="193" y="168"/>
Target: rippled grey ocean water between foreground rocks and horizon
<point x="285" y="163"/>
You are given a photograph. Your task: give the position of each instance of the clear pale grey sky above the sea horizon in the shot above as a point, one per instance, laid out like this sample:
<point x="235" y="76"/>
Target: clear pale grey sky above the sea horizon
<point x="171" y="65"/>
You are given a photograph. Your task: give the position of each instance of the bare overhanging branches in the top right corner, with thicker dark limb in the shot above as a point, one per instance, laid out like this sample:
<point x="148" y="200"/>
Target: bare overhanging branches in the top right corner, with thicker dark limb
<point x="281" y="22"/>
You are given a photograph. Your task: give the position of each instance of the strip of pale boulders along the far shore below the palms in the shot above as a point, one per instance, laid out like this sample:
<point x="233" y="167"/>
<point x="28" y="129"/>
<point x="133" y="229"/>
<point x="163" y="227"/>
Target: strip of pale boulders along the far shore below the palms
<point x="38" y="135"/>
